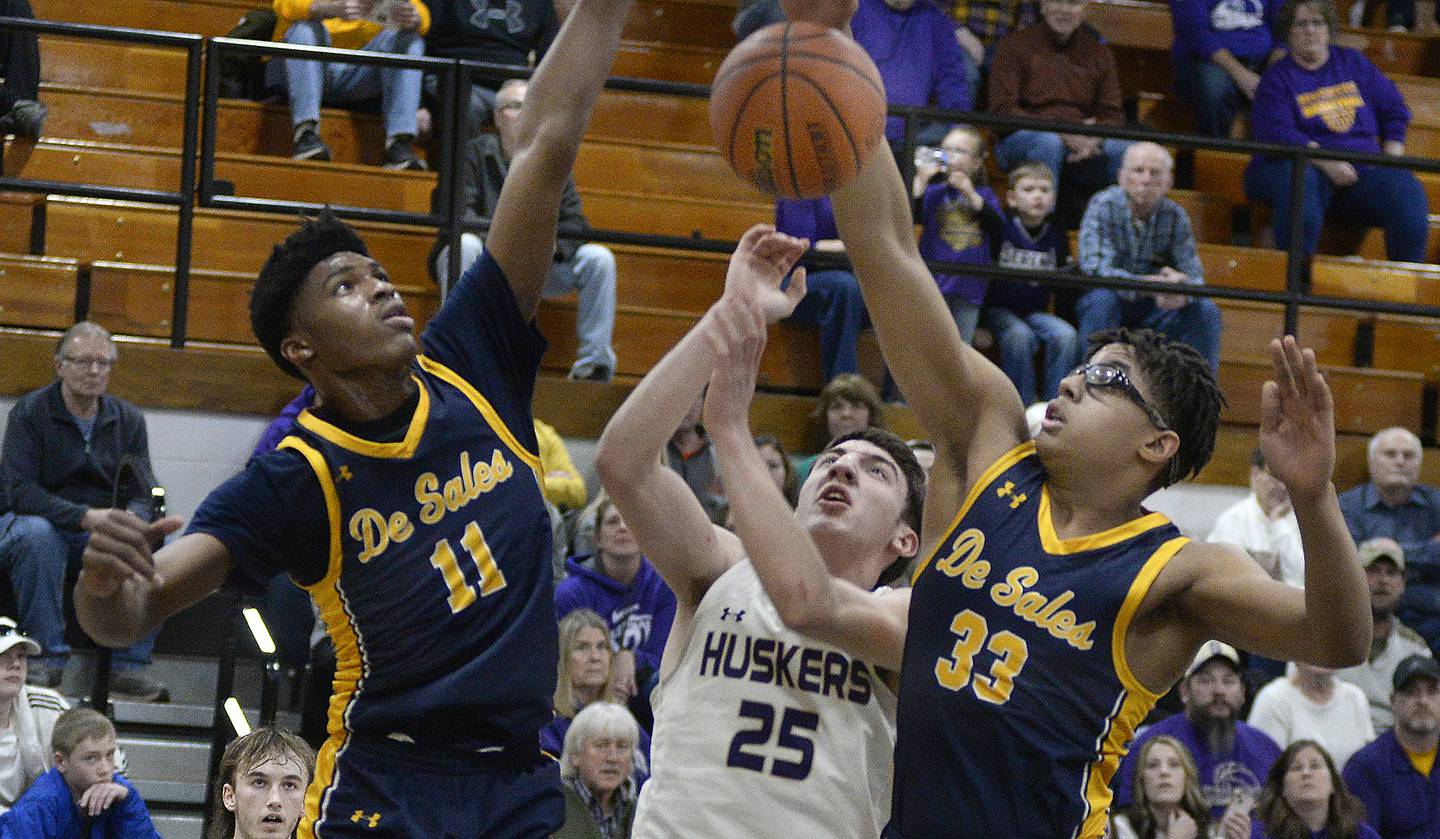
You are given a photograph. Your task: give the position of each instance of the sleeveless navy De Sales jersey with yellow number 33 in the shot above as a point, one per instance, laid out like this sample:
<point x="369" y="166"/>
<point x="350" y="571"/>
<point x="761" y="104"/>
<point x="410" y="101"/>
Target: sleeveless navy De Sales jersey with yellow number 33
<point x="1016" y="699"/>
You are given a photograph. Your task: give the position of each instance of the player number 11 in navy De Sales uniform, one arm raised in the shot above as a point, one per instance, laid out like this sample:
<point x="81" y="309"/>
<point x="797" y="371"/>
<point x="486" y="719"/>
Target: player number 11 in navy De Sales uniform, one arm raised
<point x="408" y="502"/>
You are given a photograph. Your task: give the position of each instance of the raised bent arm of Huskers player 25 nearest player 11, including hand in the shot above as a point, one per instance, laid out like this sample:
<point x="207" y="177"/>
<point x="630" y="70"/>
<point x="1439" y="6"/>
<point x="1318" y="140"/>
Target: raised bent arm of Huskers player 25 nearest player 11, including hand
<point x="672" y="527"/>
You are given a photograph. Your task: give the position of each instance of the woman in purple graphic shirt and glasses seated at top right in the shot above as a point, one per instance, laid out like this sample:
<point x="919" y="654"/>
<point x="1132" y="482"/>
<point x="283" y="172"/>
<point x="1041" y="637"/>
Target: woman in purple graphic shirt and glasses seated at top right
<point x="1333" y="97"/>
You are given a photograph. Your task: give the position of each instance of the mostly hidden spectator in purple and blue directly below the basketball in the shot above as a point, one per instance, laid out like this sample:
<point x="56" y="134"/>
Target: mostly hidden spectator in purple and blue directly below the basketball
<point x="833" y="300"/>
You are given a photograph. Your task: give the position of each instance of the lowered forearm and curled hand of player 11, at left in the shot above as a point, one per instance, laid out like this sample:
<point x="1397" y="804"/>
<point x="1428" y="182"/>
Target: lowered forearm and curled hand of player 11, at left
<point x="125" y="591"/>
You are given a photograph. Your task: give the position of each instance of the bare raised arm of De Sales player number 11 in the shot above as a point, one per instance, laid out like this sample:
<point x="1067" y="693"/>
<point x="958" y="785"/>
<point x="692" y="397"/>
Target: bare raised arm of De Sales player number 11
<point x="558" y="110"/>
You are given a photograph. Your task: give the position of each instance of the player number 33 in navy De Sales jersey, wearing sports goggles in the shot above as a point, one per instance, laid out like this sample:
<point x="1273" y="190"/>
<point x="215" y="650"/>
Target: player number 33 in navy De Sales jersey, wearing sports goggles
<point x="1052" y="609"/>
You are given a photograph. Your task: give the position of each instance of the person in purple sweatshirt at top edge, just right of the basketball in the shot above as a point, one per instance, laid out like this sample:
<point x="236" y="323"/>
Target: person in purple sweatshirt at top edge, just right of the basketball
<point x="919" y="58"/>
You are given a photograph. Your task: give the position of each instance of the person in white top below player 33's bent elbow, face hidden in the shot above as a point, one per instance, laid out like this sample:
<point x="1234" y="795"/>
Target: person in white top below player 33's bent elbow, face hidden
<point x="1313" y="704"/>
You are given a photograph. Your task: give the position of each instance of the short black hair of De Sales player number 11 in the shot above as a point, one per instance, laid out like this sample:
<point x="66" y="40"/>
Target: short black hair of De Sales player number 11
<point x="273" y="301"/>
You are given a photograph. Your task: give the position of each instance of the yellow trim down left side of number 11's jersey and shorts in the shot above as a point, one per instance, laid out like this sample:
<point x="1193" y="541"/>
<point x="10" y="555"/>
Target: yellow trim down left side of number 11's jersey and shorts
<point x="349" y="647"/>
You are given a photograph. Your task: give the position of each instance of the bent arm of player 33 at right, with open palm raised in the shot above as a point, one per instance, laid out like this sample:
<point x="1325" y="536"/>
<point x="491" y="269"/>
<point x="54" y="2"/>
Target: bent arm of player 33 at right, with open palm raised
<point x="1328" y="624"/>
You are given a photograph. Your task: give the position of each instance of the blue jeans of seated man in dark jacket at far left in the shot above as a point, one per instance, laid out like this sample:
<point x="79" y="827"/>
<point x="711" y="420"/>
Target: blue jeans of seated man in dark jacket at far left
<point x="35" y="555"/>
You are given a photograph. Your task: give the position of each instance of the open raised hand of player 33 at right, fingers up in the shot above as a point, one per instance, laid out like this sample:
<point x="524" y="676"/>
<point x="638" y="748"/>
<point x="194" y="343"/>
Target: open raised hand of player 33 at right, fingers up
<point x="1298" y="421"/>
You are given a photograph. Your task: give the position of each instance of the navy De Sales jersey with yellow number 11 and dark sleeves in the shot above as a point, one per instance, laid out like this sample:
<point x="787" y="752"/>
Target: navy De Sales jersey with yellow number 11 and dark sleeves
<point x="437" y="586"/>
